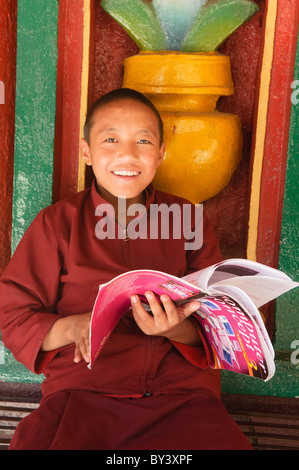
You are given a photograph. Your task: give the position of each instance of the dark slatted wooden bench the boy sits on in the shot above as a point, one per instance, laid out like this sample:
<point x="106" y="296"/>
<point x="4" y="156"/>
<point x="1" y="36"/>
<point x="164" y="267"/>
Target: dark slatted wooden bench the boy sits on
<point x="270" y="423"/>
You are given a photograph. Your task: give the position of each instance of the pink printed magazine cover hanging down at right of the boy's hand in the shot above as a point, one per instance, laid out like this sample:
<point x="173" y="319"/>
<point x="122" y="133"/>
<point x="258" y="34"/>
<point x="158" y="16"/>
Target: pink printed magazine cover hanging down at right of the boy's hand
<point x="235" y="342"/>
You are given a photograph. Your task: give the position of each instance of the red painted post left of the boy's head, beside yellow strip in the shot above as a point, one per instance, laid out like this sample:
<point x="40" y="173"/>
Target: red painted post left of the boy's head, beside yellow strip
<point x="69" y="68"/>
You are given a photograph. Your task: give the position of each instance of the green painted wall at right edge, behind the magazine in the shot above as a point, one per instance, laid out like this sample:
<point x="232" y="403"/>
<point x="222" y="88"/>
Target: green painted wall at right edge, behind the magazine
<point x="285" y="382"/>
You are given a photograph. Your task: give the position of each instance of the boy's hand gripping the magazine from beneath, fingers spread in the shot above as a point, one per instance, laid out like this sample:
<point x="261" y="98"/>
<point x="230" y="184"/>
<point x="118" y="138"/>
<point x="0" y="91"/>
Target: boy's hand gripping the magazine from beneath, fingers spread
<point x="172" y="322"/>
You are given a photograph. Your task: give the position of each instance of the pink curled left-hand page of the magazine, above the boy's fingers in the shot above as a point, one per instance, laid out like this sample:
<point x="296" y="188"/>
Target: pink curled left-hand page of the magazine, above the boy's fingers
<point x="114" y="300"/>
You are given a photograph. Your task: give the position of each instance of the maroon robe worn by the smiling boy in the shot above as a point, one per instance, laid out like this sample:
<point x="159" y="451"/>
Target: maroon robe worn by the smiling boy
<point x="143" y="392"/>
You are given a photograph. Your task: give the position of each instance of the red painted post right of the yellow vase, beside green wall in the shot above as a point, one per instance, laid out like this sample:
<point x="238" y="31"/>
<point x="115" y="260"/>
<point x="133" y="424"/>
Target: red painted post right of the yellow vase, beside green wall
<point x="277" y="132"/>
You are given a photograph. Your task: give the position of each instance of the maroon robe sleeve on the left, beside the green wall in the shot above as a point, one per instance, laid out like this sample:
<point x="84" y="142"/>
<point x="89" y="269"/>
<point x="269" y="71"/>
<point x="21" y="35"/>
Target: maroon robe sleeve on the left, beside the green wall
<point x="28" y="294"/>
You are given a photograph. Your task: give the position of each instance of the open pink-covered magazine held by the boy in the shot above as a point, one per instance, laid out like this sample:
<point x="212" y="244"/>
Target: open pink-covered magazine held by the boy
<point x="229" y="292"/>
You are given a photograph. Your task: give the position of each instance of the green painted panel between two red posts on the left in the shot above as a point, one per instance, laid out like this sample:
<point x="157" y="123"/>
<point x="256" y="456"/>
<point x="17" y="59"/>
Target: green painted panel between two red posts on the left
<point x="35" y="111"/>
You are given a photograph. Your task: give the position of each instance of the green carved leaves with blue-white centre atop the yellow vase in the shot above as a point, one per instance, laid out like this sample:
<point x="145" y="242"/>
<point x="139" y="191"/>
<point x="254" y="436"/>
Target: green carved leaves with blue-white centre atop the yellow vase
<point x="156" y="29"/>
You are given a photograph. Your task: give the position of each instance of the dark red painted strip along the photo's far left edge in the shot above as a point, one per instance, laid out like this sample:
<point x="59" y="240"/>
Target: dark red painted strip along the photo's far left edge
<point x="8" y="27"/>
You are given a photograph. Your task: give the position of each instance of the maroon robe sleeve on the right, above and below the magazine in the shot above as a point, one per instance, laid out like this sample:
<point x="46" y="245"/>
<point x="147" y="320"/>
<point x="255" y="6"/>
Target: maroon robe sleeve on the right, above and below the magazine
<point x="208" y="254"/>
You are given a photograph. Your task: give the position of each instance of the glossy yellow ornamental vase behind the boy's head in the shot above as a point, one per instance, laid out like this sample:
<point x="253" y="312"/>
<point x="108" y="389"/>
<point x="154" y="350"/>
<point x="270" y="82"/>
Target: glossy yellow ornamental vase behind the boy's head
<point x="203" y="146"/>
